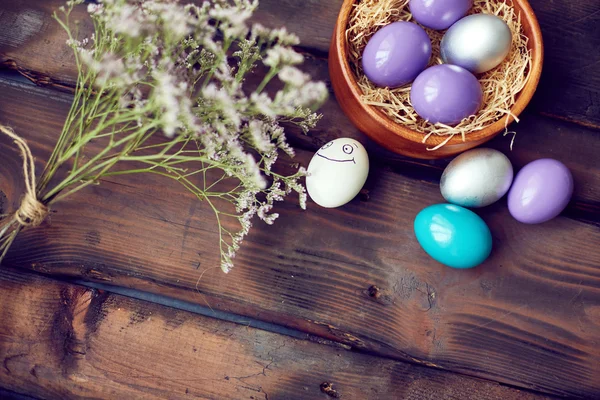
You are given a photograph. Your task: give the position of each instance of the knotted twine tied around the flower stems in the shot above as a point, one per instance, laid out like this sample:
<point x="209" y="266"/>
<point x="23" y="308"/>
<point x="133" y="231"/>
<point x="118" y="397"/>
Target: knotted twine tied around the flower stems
<point x="32" y="212"/>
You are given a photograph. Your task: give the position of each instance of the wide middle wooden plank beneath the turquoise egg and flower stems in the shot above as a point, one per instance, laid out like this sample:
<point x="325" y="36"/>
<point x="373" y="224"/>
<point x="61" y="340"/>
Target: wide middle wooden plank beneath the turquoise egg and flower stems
<point x="528" y="317"/>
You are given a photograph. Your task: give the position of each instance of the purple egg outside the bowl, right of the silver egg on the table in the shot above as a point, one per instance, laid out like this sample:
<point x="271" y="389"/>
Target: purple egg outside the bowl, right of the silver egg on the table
<point x="541" y="191"/>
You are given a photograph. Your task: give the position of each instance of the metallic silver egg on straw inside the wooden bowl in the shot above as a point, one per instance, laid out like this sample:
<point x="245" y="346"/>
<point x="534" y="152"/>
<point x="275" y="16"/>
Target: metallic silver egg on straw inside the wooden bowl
<point x="478" y="42"/>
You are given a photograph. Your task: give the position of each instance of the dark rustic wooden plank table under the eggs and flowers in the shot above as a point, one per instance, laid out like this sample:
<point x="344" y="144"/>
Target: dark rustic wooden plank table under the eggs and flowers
<point x="105" y="299"/>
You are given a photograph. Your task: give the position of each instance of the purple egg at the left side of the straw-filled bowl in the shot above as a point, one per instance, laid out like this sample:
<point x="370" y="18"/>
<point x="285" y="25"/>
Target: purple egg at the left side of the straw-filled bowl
<point x="396" y="54"/>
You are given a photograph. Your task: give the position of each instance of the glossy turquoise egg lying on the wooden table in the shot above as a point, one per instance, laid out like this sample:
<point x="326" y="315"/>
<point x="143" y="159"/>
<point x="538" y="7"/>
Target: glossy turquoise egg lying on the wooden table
<point x="453" y="235"/>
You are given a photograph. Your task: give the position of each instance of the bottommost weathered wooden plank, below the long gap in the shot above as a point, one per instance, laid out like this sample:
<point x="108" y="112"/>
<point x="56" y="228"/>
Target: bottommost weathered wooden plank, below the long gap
<point x="66" y="341"/>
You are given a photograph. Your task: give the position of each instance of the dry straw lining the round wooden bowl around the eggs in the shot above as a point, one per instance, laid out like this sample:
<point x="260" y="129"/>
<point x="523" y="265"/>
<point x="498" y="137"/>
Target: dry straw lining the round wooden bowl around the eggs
<point x="500" y="85"/>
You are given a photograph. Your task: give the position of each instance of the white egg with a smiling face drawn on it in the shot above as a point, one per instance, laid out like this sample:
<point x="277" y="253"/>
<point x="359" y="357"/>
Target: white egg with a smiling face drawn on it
<point x="337" y="172"/>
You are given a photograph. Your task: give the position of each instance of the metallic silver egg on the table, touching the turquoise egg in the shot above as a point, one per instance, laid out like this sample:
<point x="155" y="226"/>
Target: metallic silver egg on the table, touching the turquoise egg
<point x="477" y="178"/>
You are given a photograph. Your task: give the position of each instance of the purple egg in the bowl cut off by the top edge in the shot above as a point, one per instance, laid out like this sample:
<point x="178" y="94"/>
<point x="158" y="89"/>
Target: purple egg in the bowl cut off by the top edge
<point x="439" y="14"/>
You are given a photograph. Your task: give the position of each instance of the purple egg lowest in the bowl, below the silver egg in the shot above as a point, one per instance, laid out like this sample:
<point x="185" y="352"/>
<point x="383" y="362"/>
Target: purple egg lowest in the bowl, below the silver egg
<point x="446" y="93"/>
